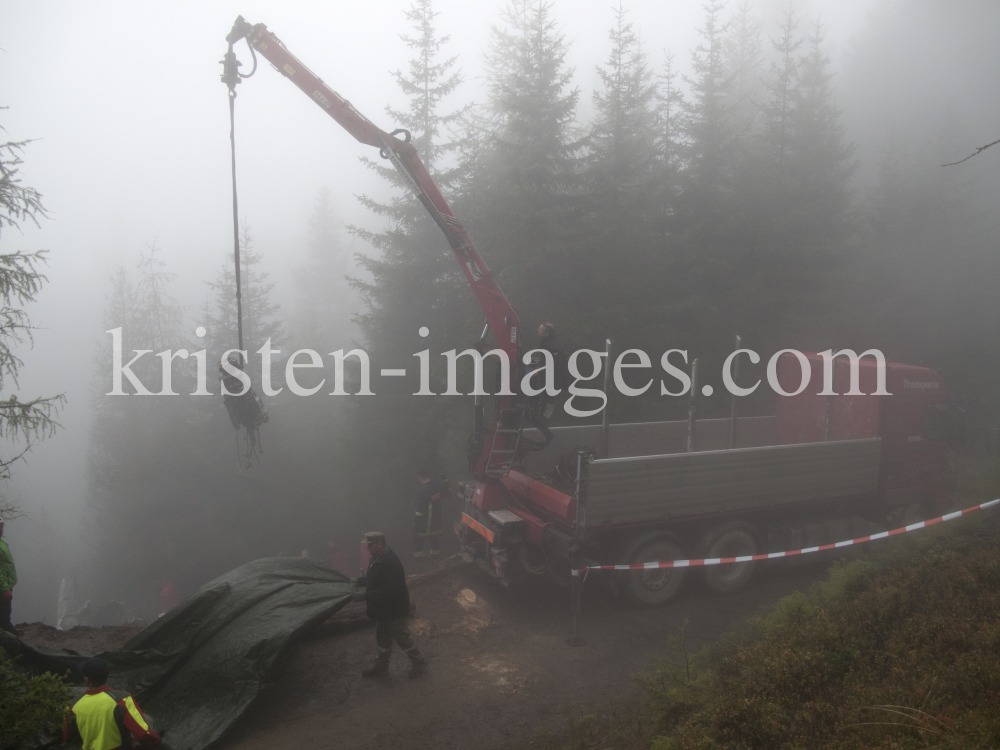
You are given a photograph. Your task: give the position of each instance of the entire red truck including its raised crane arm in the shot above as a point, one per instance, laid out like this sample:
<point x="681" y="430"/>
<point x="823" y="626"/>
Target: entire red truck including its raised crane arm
<point x="819" y="470"/>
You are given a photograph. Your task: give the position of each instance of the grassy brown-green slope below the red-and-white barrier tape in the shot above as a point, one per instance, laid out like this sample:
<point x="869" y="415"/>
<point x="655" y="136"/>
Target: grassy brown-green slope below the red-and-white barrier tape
<point x="898" y="650"/>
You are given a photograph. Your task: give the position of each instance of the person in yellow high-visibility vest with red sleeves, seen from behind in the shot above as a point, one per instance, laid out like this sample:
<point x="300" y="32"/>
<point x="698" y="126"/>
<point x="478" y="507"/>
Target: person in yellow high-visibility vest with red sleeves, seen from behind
<point x="105" y="718"/>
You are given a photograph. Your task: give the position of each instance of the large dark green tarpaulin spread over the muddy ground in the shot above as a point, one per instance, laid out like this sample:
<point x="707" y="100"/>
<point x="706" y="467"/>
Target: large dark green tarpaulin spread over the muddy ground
<point x="197" y="668"/>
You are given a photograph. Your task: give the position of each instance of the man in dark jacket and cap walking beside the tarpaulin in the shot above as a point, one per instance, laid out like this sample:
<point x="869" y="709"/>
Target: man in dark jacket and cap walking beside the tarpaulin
<point x="388" y="604"/>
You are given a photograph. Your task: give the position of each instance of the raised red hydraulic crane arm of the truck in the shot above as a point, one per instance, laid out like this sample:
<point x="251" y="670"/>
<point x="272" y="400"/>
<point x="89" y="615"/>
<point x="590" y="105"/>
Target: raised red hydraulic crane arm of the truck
<point x="500" y="316"/>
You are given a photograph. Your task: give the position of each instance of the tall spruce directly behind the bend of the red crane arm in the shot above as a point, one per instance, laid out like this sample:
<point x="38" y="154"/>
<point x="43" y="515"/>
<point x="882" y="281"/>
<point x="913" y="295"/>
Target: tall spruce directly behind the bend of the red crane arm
<point x="412" y="280"/>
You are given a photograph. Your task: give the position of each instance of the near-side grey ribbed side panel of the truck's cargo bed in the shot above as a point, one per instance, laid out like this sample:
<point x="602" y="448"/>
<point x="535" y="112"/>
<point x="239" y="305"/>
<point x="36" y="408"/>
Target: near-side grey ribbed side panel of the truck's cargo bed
<point x="689" y="484"/>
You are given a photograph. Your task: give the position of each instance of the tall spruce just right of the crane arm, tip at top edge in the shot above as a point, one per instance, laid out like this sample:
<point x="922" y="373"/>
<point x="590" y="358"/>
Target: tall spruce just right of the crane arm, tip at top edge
<point x="531" y="198"/>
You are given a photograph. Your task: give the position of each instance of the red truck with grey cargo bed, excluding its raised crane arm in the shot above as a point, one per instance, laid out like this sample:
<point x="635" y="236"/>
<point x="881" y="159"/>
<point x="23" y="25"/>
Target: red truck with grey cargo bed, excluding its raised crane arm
<point x="822" y="469"/>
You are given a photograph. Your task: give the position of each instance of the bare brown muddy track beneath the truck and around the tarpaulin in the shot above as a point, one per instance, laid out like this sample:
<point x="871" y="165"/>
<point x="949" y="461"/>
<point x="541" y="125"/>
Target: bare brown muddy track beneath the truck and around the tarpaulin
<point x="499" y="667"/>
